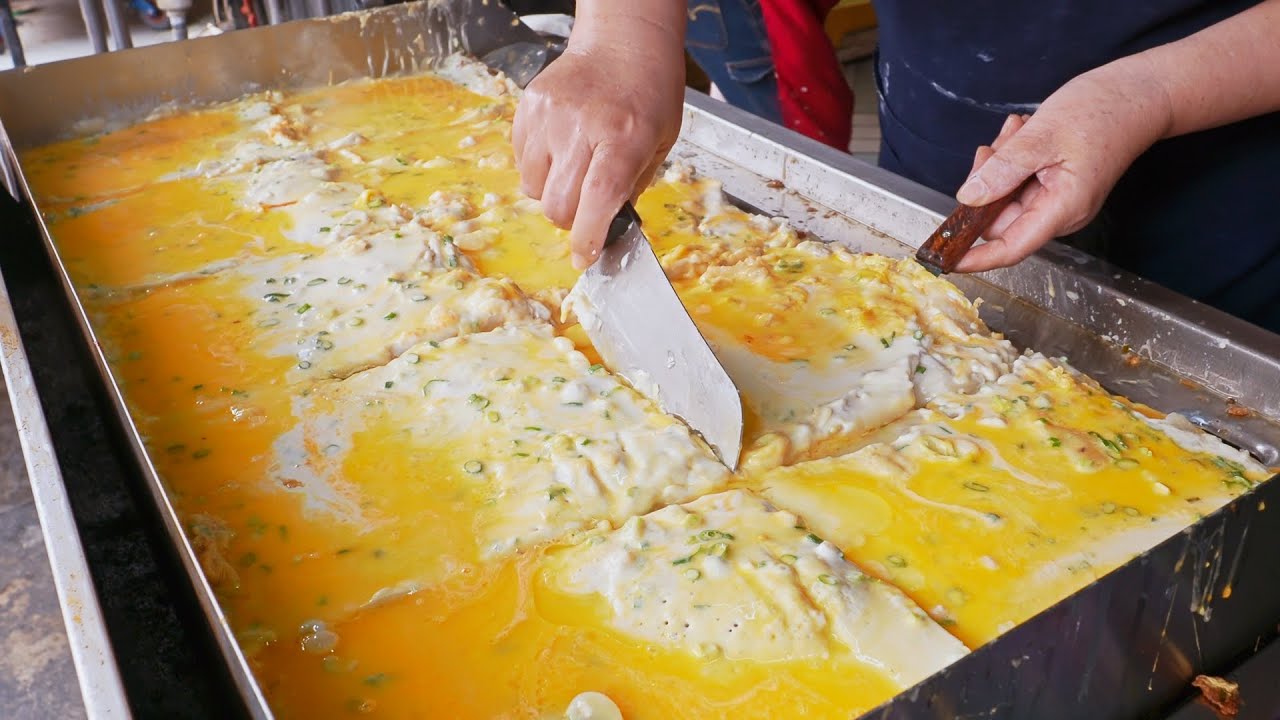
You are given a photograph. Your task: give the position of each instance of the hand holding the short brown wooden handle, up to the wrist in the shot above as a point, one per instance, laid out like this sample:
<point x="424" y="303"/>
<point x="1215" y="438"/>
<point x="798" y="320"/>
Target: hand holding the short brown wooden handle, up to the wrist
<point x="1077" y="147"/>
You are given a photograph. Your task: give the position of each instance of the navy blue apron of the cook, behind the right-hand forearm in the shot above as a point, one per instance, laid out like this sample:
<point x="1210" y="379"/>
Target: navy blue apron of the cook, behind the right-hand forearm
<point x="1196" y="213"/>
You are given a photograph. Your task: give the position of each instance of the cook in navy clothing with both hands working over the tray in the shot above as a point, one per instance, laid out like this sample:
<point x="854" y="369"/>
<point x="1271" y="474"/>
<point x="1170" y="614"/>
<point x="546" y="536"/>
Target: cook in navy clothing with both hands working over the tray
<point x="1153" y="126"/>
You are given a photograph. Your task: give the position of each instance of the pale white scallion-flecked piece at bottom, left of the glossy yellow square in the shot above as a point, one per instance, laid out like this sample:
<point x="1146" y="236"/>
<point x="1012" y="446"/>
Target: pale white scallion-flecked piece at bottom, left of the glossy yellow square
<point x="732" y="576"/>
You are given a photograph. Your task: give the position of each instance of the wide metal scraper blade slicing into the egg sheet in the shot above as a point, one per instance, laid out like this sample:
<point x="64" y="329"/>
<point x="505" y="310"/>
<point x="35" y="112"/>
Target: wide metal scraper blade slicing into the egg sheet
<point x="643" y="332"/>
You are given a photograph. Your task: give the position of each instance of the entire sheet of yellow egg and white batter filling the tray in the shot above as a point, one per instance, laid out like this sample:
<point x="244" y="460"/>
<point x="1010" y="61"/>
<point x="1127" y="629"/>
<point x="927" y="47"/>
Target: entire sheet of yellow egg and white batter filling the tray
<point x="350" y="345"/>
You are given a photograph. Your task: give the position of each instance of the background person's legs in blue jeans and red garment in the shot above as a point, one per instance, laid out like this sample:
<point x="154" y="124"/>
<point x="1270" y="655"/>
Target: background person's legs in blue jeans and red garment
<point x="774" y="60"/>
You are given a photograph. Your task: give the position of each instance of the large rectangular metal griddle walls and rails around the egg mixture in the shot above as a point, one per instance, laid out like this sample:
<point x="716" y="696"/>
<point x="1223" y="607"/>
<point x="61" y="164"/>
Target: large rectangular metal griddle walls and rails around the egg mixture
<point x="1126" y="646"/>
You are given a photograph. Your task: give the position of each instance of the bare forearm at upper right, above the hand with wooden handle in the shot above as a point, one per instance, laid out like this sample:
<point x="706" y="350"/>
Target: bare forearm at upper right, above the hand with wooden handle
<point x="1222" y="75"/>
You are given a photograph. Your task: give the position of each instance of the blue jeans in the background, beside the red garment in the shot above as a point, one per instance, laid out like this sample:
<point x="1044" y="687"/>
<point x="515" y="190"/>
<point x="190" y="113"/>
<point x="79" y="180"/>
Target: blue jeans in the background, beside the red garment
<point x="729" y="43"/>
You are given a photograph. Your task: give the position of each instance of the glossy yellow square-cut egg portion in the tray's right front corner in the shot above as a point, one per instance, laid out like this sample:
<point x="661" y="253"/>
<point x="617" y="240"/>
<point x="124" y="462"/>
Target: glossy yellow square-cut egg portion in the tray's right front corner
<point x="990" y="508"/>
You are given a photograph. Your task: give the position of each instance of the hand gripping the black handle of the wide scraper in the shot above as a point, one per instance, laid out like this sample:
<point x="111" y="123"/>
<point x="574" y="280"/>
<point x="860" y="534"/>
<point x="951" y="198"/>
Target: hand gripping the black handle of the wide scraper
<point x="592" y="130"/>
